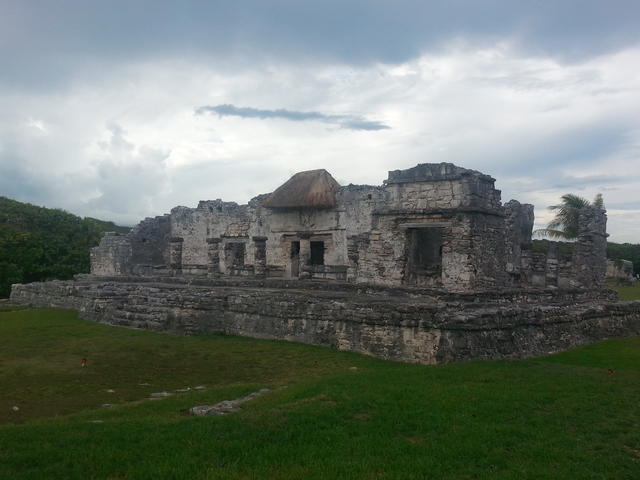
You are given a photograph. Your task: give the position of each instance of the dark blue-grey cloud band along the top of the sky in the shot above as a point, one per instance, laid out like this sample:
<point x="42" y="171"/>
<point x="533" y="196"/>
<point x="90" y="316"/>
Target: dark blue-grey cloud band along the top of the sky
<point x="44" y="42"/>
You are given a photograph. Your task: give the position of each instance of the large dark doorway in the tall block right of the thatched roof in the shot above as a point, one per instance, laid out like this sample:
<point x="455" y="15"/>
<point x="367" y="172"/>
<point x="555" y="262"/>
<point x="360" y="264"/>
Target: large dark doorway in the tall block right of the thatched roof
<point x="424" y="255"/>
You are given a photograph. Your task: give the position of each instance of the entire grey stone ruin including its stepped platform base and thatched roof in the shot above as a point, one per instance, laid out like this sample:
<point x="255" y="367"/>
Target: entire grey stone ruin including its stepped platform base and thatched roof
<point x="430" y="267"/>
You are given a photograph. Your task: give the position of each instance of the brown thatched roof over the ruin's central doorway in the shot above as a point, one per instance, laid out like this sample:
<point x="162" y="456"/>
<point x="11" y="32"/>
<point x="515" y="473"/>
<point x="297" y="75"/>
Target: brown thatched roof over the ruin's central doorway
<point x="310" y="189"/>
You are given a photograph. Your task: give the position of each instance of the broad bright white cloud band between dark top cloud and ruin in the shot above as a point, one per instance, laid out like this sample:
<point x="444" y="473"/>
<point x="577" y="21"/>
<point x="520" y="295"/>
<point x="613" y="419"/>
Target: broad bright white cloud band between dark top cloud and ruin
<point x="130" y="146"/>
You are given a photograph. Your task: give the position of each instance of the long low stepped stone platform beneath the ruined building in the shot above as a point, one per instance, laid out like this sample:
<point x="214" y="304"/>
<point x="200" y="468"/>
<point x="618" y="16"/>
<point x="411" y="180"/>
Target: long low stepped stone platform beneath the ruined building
<point x="411" y="325"/>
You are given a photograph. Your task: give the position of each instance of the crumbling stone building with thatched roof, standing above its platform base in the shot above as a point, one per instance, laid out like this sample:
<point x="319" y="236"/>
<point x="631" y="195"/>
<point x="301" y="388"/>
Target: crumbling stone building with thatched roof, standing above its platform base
<point x="435" y="225"/>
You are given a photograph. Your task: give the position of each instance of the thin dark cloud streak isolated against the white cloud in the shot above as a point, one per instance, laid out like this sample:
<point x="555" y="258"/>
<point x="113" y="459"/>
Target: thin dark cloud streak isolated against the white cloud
<point x="351" y="122"/>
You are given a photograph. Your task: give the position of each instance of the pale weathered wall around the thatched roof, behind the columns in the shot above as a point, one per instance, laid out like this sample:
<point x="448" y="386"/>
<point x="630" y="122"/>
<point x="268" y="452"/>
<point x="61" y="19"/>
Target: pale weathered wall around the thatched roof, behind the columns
<point x="234" y="223"/>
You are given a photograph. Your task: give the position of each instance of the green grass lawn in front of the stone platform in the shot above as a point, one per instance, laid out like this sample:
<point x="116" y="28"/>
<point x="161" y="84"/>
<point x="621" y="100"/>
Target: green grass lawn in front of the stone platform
<point x="342" y="415"/>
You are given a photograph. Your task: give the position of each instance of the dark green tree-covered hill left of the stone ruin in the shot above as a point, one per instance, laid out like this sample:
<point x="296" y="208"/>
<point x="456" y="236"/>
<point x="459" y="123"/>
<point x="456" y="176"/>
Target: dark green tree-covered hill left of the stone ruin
<point x="38" y="243"/>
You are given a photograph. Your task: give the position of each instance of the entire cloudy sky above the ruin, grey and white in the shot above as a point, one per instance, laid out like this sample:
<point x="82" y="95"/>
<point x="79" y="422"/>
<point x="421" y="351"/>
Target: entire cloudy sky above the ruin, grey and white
<point x="123" y="109"/>
